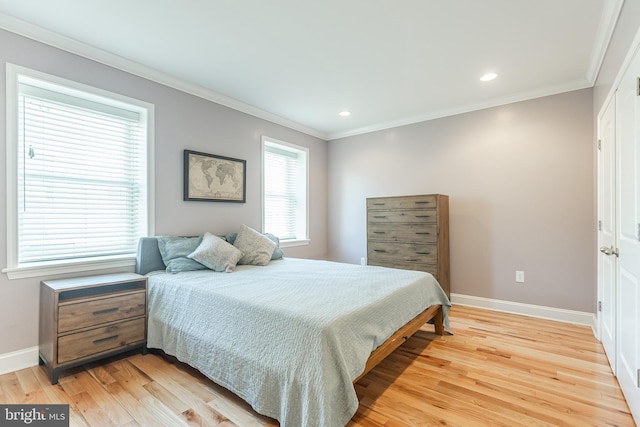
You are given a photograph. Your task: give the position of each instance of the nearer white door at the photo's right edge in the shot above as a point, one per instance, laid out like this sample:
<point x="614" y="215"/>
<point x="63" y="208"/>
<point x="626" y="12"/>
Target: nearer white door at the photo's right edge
<point x="628" y="234"/>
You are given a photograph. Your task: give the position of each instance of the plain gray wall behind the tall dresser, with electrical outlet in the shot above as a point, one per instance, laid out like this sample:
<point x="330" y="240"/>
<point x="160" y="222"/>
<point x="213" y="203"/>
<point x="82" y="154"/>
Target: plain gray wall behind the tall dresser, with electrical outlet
<point x="520" y="181"/>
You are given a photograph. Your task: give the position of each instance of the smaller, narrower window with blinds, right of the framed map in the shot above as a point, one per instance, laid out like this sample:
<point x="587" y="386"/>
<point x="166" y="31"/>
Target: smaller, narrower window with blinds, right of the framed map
<point x="284" y="181"/>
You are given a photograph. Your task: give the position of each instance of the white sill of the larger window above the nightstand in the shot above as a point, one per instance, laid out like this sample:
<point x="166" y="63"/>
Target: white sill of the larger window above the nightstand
<point x="54" y="268"/>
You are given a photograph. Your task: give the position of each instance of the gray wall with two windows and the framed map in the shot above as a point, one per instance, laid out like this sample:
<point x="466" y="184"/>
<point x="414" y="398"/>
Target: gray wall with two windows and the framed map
<point x="182" y="122"/>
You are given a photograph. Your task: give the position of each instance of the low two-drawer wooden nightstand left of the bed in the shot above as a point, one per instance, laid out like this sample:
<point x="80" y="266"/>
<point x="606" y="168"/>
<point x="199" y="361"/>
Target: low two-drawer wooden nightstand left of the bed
<point x="88" y="318"/>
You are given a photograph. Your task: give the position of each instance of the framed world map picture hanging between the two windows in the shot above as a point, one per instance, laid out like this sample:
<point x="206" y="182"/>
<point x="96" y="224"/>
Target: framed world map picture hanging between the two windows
<point x="213" y="178"/>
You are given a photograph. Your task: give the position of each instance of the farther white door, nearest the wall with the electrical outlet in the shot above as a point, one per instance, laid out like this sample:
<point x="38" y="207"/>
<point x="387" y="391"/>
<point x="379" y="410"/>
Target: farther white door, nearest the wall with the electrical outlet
<point x="606" y="231"/>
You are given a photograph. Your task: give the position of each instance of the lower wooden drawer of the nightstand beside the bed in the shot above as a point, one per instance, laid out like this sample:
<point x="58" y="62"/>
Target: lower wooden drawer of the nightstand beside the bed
<point x="99" y="340"/>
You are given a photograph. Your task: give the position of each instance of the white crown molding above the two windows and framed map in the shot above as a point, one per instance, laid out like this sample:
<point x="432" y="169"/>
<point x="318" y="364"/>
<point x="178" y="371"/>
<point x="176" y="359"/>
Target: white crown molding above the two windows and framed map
<point x="67" y="44"/>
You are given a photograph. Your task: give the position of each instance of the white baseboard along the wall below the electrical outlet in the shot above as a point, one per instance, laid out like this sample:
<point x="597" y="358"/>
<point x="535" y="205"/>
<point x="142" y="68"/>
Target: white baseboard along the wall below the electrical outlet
<point x="551" y="313"/>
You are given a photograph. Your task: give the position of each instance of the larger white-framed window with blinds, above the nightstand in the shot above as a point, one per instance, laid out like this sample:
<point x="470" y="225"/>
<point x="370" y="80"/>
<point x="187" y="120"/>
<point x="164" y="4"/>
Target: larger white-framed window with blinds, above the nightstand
<point x="77" y="174"/>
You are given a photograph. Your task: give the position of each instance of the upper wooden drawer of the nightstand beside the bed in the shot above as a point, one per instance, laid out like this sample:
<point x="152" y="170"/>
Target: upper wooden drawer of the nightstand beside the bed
<point x="97" y="311"/>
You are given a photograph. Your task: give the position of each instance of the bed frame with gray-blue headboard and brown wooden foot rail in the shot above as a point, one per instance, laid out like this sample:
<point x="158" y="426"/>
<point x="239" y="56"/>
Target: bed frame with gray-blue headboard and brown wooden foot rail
<point x="149" y="259"/>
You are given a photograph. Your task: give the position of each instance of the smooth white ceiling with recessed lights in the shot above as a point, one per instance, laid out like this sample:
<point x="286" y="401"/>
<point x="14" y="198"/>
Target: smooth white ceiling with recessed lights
<point x="301" y="62"/>
